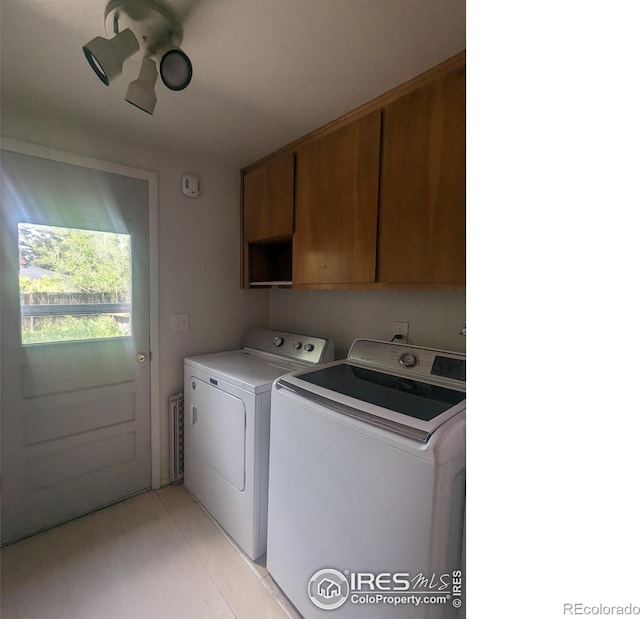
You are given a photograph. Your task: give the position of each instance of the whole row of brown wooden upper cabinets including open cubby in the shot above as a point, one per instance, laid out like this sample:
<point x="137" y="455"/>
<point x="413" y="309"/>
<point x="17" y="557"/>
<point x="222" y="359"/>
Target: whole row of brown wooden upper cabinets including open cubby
<point x="379" y="195"/>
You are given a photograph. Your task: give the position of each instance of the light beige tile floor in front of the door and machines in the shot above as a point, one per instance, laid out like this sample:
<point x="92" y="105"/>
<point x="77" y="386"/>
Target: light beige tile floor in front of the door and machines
<point x="157" y="555"/>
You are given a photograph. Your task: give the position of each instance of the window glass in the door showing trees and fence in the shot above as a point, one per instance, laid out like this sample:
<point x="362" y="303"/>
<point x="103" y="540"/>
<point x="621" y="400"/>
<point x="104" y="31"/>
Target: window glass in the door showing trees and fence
<point x="74" y="284"/>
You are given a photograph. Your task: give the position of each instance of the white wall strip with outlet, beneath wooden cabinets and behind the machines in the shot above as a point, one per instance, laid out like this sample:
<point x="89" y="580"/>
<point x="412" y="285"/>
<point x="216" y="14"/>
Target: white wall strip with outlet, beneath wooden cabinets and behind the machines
<point x="435" y="318"/>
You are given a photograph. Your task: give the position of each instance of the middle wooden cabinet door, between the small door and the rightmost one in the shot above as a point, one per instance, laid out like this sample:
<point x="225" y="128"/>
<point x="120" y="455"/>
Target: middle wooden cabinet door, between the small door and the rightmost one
<point x="336" y="205"/>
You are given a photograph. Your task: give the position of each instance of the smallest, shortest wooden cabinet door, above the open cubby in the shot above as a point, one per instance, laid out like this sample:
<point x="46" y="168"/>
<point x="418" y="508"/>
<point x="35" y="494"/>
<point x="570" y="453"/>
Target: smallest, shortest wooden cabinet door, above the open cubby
<point x="268" y="200"/>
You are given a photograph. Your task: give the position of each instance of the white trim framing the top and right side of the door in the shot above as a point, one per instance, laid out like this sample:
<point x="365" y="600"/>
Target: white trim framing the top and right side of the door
<point x="27" y="148"/>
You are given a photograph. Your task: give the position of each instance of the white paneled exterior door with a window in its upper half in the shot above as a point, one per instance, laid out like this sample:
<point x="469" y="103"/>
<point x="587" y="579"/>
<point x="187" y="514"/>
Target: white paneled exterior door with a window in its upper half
<point x="75" y="353"/>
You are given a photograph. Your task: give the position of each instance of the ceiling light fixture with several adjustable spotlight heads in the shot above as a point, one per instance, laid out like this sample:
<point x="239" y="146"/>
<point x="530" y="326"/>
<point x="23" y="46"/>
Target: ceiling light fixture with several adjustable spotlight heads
<point x="150" y="26"/>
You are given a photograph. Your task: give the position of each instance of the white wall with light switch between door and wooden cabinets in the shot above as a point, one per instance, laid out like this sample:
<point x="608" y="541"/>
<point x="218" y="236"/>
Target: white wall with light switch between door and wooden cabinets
<point x="199" y="244"/>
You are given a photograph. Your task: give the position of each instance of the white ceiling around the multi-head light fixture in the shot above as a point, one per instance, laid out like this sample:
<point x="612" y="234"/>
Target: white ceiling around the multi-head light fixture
<point x="265" y="72"/>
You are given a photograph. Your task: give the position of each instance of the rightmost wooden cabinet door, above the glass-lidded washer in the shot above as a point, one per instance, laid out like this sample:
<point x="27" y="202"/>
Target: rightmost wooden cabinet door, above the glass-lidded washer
<point x="422" y="185"/>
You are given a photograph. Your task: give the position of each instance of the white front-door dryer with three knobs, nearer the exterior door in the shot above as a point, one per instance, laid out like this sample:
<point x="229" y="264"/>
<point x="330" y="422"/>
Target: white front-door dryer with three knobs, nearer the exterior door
<point x="227" y="422"/>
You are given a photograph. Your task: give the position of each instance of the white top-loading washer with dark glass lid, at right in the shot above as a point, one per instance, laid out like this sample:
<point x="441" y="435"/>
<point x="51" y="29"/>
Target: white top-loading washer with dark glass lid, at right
<point x="367" y="484"/>
